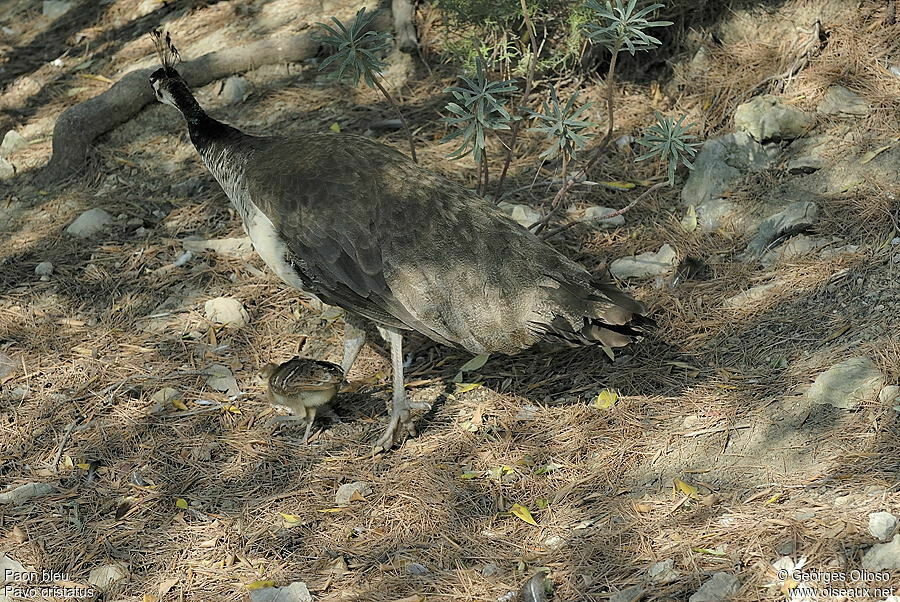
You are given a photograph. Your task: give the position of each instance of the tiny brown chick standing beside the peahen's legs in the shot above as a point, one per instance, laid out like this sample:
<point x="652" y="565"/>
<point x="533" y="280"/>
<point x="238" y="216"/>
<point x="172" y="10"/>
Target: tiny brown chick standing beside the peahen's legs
<point x="302" y="386"/>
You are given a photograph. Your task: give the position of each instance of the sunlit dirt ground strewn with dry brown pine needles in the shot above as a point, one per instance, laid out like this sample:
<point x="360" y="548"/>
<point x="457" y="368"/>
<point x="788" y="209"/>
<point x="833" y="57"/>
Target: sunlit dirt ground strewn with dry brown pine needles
<point x="199" y="500"/>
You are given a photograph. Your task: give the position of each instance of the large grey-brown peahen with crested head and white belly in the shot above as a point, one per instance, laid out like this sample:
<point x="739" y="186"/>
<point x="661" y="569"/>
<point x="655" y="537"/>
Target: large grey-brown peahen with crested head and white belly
<point x="361" y="226"/>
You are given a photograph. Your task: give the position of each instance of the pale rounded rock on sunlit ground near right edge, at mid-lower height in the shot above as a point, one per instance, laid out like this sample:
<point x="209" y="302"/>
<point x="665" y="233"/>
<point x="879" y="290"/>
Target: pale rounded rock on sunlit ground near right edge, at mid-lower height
<point x="846" y="384"/>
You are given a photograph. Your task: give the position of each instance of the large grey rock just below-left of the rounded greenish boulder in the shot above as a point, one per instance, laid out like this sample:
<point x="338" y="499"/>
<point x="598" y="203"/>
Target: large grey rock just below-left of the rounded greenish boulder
<point x="719" y="163"/>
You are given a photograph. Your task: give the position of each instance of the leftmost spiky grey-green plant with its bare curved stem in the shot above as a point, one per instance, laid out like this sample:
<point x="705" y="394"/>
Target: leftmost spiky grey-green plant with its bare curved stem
<point x="357" y="54"/>
